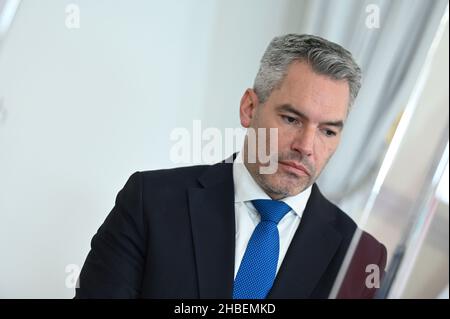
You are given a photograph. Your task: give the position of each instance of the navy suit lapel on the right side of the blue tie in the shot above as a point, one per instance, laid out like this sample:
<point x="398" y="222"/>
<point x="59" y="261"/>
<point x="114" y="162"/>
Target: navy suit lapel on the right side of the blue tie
<point x="310" y="252"/>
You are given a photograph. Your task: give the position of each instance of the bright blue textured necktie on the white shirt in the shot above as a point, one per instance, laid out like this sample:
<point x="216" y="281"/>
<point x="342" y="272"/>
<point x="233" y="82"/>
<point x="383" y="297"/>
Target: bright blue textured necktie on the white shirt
<point x="258" y="267"/>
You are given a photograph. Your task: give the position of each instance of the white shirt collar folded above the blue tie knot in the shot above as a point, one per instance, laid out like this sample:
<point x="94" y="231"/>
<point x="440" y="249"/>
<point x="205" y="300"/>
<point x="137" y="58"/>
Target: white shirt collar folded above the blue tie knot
<point x="246" y="188"/>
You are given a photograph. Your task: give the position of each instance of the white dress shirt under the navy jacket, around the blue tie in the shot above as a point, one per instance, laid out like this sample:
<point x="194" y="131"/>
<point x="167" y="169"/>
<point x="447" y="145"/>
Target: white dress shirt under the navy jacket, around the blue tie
<point x="247" y="217"/>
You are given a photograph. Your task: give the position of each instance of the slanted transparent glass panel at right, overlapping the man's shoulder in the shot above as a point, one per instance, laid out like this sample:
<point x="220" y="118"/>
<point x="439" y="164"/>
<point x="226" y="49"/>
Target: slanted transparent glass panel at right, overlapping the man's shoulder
<point x="404" y="205"/>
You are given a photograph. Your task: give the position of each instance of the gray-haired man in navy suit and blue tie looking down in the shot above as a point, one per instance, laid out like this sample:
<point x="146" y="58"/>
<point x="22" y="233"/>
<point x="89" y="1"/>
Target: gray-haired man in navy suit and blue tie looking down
<point x="232" y="231"/>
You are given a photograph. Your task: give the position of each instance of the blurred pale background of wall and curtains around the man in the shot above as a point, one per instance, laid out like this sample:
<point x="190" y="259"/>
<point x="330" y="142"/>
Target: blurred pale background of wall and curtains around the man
<point x="91" y="91"/>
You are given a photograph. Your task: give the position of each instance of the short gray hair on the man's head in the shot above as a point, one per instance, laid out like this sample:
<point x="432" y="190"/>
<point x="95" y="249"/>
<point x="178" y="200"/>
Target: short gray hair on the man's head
<point x="325" y="57"/>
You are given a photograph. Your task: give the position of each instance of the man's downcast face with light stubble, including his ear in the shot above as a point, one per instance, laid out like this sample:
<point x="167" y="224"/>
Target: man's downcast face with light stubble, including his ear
<point x="309" y="111"/>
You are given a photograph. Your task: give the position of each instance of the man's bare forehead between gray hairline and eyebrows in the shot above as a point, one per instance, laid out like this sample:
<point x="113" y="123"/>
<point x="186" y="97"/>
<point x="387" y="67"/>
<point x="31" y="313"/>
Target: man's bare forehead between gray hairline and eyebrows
<point x="316" y="95"/>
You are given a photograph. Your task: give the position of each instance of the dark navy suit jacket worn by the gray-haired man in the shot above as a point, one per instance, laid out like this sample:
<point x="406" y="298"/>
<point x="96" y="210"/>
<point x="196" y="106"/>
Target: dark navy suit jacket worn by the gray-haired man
<point x="171" y="234"/>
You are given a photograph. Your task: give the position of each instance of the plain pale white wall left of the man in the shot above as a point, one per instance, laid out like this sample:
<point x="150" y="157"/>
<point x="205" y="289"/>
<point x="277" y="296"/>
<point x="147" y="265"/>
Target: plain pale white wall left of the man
<point x="87" y="107"/>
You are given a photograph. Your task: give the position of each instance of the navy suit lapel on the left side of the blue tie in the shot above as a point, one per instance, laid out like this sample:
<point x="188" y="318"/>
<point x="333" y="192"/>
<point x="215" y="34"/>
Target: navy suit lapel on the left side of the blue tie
<point x="213" y="227"/>
